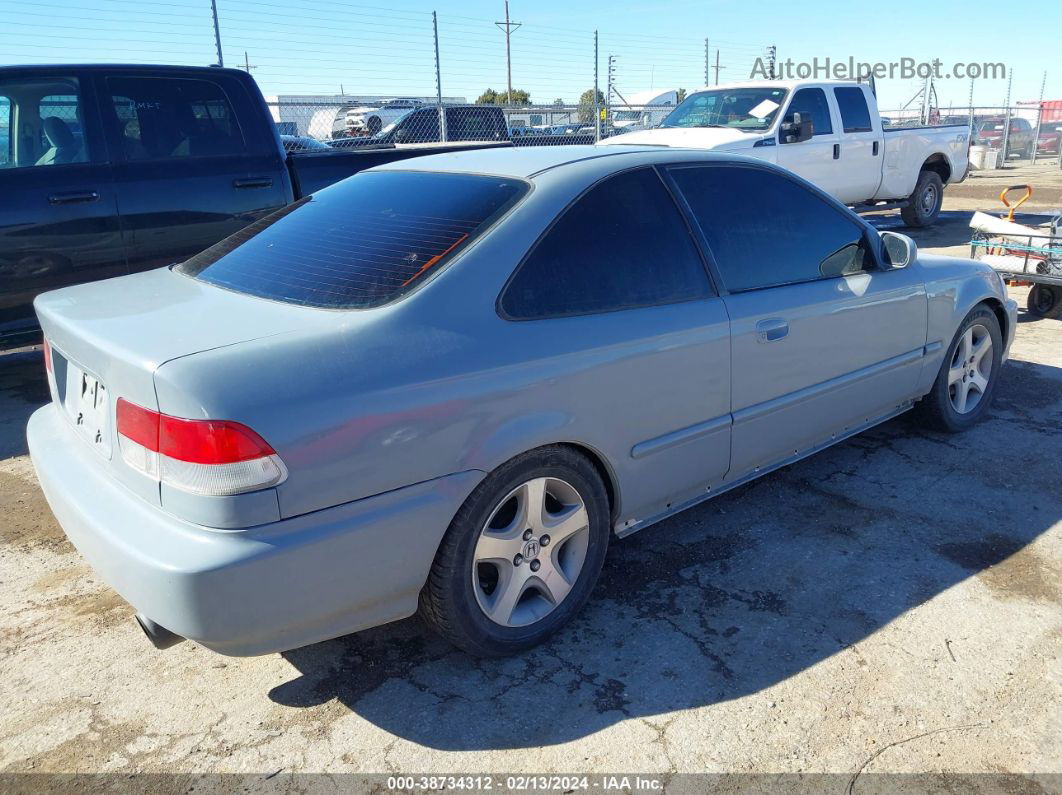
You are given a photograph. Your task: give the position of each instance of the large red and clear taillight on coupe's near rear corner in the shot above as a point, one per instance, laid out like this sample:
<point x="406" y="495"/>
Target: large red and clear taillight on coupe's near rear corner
<point x="210" y="457"/>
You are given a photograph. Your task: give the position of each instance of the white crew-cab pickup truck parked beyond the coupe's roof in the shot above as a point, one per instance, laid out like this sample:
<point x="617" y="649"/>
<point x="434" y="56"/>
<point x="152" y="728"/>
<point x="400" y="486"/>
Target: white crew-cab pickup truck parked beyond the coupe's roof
<point x="831" y="134"/>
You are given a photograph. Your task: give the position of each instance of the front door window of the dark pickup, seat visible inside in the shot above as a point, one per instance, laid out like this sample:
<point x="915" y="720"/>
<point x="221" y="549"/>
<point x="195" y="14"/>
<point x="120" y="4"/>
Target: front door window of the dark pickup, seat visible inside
<point x="52" y="123"/>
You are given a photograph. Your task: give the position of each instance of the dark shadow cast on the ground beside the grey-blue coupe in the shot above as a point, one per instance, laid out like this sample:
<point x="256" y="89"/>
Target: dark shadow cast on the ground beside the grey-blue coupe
<point x="740" y="594"/>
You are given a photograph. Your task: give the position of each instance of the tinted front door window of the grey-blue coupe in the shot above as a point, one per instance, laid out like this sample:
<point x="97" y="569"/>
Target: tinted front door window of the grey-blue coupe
<point x="769" y="231"/>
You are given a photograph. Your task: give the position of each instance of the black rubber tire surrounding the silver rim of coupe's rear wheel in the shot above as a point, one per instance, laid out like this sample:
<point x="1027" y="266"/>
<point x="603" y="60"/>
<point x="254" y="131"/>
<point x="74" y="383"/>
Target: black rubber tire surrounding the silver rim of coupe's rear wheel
<point x="449" y="600"/>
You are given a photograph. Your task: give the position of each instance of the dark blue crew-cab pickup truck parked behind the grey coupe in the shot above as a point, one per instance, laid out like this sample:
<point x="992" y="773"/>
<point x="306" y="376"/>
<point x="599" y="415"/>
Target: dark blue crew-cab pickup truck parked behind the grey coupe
<point x="119" y="169"/>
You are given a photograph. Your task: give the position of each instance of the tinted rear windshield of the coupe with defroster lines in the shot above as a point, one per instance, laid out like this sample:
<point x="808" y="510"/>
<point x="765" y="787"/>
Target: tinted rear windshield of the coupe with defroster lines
<point x="361" y="244"/>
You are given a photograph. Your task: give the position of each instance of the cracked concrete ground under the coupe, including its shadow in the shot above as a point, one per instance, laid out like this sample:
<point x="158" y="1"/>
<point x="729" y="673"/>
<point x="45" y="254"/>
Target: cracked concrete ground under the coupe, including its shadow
<point x="894" y="604"/>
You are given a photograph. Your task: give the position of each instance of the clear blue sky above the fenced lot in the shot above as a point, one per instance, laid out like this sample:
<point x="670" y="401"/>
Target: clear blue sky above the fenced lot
<point x="387" y="47"/>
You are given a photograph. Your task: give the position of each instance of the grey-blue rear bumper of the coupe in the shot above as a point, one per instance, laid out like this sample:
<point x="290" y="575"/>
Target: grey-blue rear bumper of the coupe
<point x="266" y="590"/>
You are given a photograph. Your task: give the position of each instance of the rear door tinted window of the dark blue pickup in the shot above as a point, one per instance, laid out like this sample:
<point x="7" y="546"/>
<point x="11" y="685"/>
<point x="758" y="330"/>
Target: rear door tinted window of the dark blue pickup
<point x="166" y="118"/>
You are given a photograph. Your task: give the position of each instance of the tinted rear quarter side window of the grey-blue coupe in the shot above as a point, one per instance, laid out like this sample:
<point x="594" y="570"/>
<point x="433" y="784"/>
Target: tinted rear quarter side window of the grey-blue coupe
<point x="622" y="246"/>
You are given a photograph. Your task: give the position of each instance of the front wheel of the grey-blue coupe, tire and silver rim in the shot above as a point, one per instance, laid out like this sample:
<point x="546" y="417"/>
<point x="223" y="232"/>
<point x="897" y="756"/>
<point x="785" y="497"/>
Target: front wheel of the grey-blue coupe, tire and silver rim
<point x="966" y="385"/>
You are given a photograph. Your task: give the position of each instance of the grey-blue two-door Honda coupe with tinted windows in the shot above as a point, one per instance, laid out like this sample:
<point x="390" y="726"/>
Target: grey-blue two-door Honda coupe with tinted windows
<point x="443" y="385"/>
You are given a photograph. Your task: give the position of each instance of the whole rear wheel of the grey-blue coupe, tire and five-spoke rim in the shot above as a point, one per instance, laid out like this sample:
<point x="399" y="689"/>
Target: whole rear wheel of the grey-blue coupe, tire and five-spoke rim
<point x="522" y="555"/>
